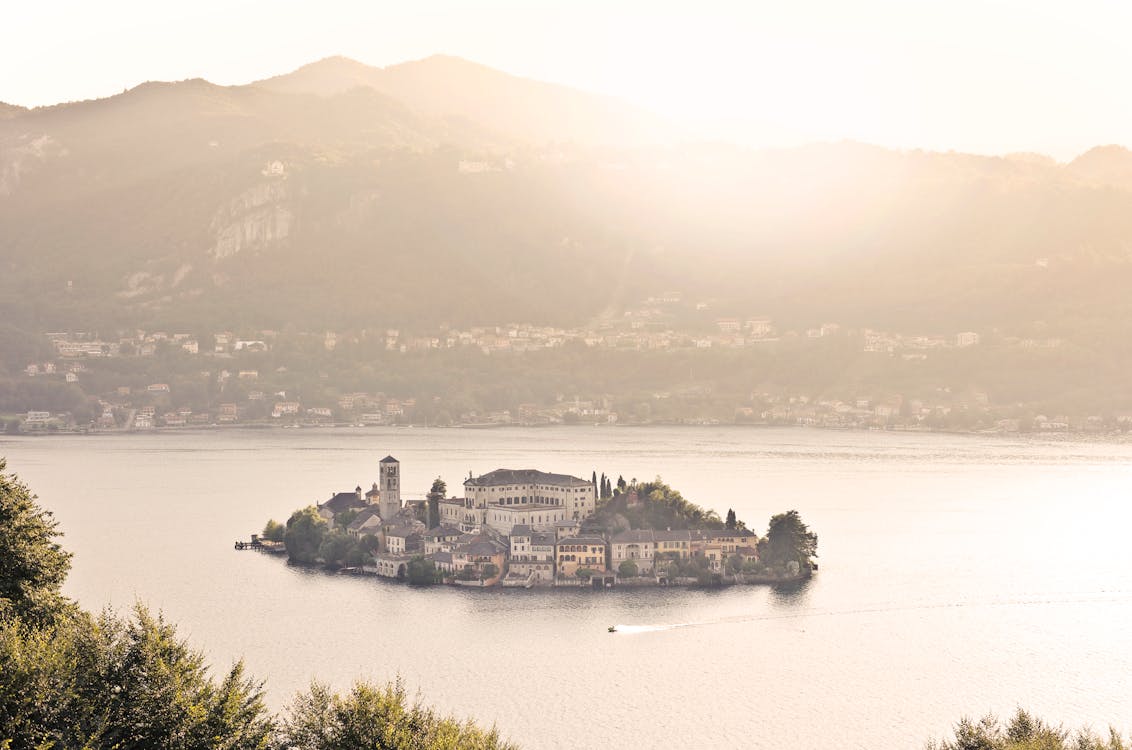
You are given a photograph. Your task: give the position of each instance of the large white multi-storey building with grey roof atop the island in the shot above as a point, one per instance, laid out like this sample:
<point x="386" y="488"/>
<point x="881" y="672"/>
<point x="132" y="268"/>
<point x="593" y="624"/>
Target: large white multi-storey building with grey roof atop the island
<point x="508" y="498"/>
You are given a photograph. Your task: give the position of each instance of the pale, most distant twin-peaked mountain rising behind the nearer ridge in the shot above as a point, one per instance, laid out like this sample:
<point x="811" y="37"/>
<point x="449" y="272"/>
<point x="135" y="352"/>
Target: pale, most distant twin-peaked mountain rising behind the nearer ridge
<point x="445" y="87"/>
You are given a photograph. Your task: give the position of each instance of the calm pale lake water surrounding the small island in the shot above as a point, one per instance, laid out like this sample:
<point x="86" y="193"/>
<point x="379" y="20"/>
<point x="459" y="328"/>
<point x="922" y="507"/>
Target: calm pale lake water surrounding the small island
<point x="959" y="575"/>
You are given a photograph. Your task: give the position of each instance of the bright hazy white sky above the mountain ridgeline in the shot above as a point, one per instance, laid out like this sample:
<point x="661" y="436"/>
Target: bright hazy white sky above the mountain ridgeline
<point x="989" y="76"/>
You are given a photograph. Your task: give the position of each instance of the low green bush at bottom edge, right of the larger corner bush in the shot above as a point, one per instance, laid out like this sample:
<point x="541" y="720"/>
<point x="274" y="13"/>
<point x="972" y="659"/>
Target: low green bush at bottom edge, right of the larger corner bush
<point x="372" y="718"/>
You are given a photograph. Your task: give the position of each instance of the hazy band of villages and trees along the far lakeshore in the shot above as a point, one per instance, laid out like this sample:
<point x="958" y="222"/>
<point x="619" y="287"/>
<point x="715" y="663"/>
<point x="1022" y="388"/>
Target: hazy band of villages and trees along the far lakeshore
<point x="151" y="381"/>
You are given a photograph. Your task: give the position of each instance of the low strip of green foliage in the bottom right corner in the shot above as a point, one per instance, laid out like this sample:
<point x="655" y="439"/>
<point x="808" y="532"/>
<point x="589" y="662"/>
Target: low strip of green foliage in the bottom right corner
<point x="1025" y="732"/>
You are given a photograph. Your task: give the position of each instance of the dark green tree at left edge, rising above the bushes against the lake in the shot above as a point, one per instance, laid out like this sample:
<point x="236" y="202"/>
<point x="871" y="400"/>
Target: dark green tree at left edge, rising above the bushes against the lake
<point x="33" y="566"/>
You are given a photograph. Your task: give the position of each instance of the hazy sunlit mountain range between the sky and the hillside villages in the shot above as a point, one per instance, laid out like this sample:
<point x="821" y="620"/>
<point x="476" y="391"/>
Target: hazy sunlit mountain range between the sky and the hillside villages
<point x="441" y="191"/>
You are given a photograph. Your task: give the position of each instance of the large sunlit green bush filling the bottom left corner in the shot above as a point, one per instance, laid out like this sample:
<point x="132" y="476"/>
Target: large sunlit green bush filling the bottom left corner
<point x="115" y="683"/>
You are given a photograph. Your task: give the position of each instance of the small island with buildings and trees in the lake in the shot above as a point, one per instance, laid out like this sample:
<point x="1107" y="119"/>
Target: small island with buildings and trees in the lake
<point x="528" y="528"/>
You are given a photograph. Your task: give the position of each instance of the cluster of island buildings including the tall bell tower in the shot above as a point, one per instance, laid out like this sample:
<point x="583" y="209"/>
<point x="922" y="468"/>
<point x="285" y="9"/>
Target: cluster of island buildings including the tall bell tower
<point x="519" y="529"/>
